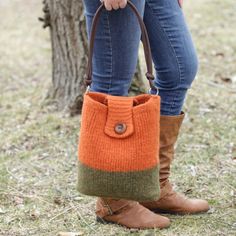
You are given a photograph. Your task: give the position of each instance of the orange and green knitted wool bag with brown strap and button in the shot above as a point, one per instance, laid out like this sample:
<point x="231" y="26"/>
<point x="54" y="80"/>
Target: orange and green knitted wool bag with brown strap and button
<point x="119" y="137"/>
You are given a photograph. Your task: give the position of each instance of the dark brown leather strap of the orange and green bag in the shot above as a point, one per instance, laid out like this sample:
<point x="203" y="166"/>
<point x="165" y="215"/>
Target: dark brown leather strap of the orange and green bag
<point x="145" y="41"/>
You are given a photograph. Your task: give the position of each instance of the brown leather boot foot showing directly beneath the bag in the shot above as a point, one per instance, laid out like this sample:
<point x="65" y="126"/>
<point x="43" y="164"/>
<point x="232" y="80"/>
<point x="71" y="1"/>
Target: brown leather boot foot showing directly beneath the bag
<point x="128" y="213"/>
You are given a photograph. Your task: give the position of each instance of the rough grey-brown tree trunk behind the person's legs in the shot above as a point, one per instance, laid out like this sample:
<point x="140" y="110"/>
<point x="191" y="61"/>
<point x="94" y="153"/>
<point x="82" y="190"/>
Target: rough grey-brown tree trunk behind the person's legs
<point x="69" y="54"/>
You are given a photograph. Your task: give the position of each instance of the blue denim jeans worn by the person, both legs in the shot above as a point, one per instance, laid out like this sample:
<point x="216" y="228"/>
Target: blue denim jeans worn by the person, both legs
<point x="116" y="50"/>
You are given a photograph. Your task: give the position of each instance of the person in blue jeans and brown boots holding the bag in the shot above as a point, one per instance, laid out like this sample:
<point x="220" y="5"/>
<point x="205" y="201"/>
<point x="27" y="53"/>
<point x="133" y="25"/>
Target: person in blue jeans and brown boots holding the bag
<point x="114" y="63"/>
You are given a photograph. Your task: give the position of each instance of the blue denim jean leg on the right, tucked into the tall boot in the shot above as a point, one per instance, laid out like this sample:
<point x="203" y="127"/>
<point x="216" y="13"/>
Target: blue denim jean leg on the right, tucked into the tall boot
<point x="173" y="53"/>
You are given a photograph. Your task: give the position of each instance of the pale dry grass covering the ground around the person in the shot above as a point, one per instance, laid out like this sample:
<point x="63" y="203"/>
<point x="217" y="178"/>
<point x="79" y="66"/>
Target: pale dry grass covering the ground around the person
<point x="38" y="145"/>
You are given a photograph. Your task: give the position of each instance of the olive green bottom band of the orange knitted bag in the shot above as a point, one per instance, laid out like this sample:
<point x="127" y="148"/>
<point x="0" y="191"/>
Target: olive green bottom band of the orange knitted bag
<point x="136" y="185"/>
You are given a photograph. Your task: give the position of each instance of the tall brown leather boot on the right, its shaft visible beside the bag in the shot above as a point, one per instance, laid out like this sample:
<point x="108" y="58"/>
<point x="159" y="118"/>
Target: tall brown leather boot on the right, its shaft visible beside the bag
<point x="170" y="201"/>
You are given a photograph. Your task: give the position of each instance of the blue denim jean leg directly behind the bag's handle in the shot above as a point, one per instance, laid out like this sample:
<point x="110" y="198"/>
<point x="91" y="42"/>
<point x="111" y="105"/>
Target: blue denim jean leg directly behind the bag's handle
<point x="116" y="47"/>
